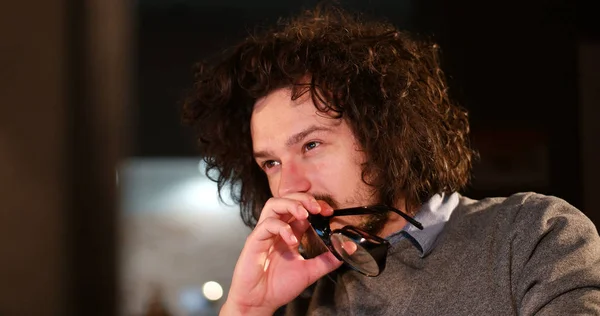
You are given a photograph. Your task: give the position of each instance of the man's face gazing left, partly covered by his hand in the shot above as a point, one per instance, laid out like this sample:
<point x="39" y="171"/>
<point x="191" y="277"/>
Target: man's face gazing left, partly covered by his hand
<point x="303" y="150"/>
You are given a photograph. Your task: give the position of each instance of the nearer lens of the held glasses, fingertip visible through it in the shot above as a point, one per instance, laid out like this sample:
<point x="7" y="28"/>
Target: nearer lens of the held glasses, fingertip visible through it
<point x="354" y="255"/>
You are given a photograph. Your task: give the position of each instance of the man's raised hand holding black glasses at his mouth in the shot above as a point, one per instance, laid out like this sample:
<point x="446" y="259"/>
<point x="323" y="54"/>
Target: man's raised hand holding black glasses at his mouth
<point x="270" y="271"/>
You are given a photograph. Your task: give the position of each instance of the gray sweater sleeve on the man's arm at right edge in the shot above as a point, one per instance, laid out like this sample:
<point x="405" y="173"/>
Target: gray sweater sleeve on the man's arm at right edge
<point x="556" y="259"/>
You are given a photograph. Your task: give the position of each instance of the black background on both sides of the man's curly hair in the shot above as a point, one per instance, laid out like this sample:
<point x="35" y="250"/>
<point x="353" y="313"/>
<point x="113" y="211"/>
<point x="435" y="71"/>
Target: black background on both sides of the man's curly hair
<point x="512" y="64"/>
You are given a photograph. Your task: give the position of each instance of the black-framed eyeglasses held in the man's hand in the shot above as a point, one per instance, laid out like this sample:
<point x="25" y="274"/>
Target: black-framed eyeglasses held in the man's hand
<point x="363" y="252"/>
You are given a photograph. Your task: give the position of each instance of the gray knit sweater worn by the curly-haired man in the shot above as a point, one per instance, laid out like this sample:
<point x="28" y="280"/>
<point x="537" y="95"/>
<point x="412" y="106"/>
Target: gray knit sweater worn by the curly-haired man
<point x="527" y="254"/>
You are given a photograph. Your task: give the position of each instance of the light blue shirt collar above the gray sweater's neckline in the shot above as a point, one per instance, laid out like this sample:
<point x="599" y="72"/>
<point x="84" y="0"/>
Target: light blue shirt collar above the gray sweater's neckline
<point x="433" y="215"/>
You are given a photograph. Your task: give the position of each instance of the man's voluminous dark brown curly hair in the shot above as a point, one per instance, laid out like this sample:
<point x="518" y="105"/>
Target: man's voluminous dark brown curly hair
<point x="386" y="84"/>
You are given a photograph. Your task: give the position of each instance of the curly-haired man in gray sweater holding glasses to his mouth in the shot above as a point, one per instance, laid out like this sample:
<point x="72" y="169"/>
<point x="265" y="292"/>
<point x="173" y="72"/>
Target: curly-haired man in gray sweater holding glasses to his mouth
<point x="329" y="112"/>
